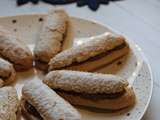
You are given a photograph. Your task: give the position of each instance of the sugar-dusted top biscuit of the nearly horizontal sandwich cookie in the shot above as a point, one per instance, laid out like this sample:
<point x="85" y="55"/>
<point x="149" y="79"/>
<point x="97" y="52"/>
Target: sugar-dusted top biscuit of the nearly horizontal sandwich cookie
<point x="84" y="82"/>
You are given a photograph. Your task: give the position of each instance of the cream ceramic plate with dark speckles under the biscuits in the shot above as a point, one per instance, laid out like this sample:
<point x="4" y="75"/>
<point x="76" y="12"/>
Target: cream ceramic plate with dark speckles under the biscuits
<point x="133" y="67"/>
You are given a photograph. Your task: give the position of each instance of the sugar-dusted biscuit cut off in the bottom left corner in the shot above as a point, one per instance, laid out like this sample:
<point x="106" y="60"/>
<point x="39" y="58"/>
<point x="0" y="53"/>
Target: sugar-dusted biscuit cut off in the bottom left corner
<point x="9" y="104"/>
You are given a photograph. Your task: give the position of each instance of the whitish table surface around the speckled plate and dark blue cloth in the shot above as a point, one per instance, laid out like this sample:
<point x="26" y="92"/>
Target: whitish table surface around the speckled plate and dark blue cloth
<point x="139" y="20"/>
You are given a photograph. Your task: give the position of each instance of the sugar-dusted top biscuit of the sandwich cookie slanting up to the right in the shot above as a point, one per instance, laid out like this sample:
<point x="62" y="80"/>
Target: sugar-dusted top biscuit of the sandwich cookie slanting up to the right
<point x="97" y="45"/>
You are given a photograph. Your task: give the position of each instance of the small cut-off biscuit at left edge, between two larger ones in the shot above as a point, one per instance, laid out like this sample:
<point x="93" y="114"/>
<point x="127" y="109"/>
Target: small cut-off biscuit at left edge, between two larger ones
<point x="7" y="72"/>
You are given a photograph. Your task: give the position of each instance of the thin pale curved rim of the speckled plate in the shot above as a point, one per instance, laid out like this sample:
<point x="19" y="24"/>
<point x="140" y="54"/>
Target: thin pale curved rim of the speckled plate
<point x="145" y="60"/>
